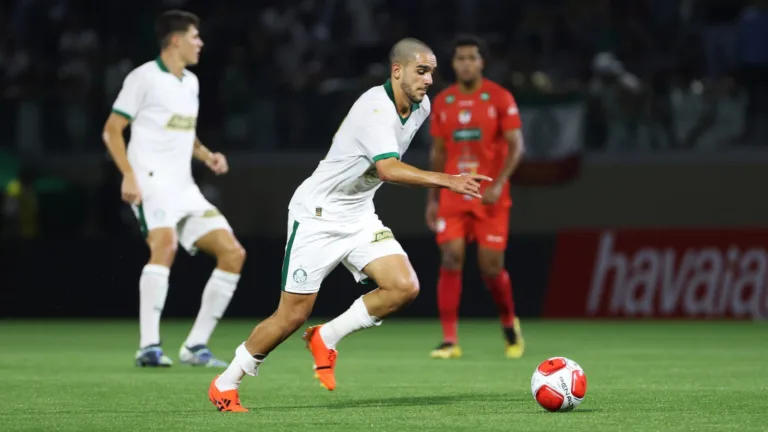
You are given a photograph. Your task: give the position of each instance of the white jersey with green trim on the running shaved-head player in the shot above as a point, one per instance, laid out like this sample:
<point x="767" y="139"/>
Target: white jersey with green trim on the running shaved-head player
<point x="344" y="183"/>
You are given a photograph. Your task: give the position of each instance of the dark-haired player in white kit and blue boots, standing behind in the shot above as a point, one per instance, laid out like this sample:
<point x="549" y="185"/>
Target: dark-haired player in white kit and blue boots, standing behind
<point x="159" y="99"/>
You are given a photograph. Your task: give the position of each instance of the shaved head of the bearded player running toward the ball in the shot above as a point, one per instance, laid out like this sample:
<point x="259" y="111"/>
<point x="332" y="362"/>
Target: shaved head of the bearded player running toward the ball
<point x="412" y="63"/>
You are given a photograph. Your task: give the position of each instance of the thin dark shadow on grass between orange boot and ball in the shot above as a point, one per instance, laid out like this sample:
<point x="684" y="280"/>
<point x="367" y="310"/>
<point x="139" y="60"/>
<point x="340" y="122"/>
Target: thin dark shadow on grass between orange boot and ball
<point x="407" y="401"/>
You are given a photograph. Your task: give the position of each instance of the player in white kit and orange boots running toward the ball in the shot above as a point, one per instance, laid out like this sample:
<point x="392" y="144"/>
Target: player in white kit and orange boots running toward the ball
<point x="332" y="220"/>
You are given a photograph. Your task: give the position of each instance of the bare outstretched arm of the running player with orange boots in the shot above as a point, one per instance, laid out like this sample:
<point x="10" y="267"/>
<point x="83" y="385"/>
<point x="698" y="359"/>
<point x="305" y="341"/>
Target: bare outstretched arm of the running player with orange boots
<point x="393" y="171"/>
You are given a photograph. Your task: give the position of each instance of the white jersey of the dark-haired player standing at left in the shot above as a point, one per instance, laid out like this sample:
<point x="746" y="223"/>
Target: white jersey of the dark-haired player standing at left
<point x="163" y="112"/>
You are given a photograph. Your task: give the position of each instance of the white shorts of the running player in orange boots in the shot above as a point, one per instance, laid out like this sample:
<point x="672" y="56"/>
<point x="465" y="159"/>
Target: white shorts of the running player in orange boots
<point x="315" y="247"/>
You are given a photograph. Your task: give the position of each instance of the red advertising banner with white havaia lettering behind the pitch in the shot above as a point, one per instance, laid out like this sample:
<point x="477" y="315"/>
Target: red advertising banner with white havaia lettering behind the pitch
<point x="694" y="274"/>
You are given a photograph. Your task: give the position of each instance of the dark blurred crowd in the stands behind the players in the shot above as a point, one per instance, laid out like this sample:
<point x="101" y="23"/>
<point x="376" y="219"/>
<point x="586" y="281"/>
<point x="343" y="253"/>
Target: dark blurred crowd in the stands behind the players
<point x="279" y="75"/>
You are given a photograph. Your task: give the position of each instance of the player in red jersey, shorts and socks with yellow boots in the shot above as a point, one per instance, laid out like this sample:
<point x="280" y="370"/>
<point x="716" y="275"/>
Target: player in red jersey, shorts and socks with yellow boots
<point x="476" y="129"/>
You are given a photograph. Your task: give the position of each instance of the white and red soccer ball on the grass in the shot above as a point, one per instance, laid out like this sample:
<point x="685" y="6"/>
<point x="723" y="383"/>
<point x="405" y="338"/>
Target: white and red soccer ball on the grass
<point x="559" y="384"/>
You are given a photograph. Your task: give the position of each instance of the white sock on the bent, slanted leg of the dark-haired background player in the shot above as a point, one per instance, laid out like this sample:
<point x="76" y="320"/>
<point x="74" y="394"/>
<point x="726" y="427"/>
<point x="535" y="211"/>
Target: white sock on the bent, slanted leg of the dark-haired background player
<point x="216" y="296"/>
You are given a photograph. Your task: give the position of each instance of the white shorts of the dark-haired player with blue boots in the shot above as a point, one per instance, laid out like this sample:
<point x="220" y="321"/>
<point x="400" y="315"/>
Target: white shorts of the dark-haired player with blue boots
<point x="187" y="211"/>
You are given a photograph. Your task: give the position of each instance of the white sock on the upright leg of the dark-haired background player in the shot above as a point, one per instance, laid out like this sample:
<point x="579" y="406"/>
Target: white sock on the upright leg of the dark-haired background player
<point x="153" y="289"/>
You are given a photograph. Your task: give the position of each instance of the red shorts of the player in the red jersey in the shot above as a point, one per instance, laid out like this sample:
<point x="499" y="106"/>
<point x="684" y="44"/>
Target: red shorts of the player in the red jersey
<point x="488" y="225"/>
